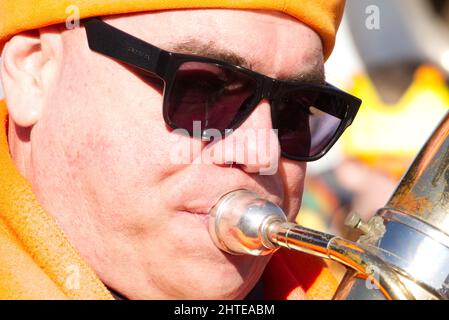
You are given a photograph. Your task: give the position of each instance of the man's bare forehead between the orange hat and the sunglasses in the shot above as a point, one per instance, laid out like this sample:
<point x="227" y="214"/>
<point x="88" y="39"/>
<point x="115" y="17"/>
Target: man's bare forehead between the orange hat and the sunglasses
<point x="251" y="39"/>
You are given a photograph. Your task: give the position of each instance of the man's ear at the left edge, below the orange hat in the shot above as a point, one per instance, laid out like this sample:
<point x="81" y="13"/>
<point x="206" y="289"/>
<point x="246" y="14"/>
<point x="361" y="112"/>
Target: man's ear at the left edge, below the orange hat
<point x="29" y="67"/>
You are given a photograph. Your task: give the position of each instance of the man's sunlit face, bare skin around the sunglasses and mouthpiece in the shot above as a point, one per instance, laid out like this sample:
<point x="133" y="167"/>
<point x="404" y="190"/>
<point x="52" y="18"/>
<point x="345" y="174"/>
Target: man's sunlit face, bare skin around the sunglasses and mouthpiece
<point x="101" y="156"/>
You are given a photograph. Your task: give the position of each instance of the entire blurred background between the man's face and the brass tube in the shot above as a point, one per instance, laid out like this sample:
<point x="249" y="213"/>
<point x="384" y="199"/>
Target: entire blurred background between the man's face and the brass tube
<point x="394" y="55"/>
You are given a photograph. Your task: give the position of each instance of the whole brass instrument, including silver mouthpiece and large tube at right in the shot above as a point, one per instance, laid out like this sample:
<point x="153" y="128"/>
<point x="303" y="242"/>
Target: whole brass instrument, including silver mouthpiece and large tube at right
<point x="405" y="247"/>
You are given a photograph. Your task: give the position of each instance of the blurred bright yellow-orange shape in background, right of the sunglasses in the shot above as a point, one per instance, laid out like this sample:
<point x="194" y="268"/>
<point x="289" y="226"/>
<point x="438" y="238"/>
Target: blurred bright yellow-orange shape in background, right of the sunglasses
<point x="388" y="136"/>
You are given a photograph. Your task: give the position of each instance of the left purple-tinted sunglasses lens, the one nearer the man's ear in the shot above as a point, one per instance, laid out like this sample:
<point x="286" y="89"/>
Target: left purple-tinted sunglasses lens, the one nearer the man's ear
<point x="214" y="95"/>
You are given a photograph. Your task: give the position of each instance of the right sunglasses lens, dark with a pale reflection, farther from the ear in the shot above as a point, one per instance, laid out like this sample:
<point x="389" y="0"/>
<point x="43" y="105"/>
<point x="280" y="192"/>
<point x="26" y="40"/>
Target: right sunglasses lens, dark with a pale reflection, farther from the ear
<point x="308" y="120"/>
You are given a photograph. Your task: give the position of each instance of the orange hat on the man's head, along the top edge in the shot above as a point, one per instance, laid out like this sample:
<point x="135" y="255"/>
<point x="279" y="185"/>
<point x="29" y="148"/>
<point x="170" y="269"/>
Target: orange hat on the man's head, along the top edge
<point x="323" y="16"/>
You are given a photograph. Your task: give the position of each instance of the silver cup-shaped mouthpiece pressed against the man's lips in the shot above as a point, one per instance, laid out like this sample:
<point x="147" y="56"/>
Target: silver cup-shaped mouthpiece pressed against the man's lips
<point x="239" y="221"/>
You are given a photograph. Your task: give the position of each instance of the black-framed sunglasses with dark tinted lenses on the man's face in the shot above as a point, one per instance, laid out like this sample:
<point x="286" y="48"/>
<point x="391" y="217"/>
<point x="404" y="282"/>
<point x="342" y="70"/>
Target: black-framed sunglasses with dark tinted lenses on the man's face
<point x="309" y="118"/>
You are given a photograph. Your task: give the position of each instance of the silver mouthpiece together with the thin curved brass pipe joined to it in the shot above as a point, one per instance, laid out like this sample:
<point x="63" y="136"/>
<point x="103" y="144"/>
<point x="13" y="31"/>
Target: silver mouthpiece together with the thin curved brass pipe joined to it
<point x="243" y="223"/>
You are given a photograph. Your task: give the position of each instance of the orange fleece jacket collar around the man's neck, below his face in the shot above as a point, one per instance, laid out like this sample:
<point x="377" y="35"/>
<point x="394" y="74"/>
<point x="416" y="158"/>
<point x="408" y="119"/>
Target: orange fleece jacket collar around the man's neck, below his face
<point x="38" y="262"/>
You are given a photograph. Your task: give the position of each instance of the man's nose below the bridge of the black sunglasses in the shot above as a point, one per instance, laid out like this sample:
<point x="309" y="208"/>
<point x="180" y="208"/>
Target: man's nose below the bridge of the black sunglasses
<point x="254" y="146"/>
